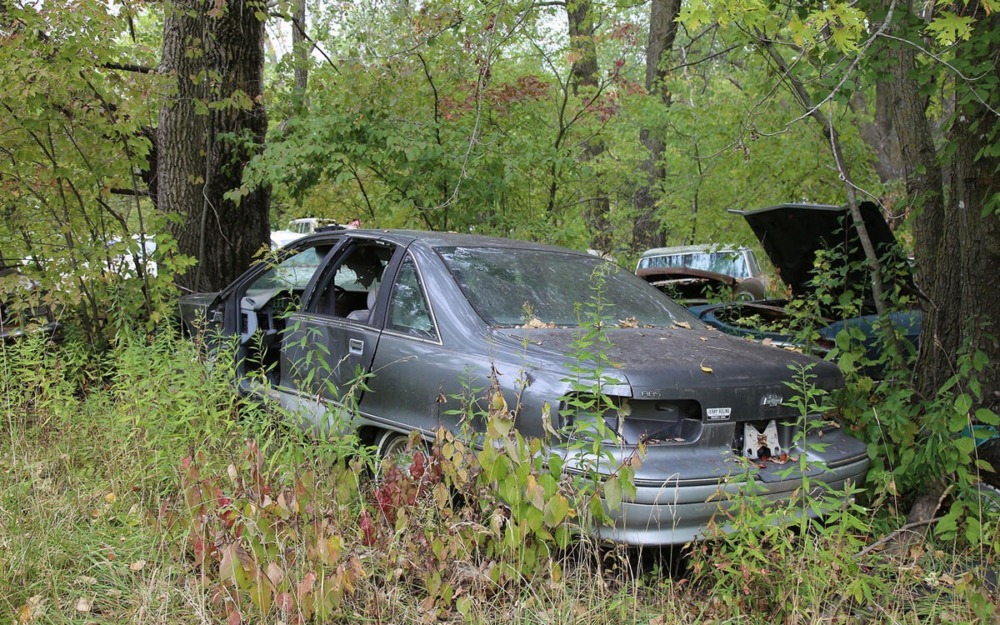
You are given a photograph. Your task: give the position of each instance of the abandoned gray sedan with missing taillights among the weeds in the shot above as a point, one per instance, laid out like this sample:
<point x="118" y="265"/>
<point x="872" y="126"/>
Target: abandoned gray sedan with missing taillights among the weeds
<point x="429" y="316"/>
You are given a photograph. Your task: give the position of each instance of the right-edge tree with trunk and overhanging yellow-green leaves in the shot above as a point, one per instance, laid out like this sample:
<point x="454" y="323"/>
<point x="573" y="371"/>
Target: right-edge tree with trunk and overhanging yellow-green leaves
<point x="935" y="66"/>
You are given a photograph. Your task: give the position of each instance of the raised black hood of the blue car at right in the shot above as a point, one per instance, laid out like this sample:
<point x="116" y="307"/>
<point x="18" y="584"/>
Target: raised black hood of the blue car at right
<point x="791" y="234"/>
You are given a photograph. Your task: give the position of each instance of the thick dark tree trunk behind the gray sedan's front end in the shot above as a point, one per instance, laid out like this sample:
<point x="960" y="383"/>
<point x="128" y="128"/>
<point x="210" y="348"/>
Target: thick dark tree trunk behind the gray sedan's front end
<point x="208" y="131"/>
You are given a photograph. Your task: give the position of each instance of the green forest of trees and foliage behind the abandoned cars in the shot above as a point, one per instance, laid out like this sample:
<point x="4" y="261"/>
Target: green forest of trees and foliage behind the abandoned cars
<point x="614" y="126"/>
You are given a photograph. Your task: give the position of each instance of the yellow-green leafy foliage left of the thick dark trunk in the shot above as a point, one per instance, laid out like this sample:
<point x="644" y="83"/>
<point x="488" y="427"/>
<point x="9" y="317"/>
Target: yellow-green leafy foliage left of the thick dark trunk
<point x="73" y="136"/>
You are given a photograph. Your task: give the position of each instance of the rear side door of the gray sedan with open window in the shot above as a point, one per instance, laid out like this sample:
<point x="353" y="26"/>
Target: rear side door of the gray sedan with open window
<point x="328" y="347"/>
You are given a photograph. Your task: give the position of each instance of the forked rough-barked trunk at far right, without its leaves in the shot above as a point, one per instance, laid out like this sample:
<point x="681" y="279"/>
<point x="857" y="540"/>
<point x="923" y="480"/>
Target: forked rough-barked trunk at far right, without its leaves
<point x="956" y="230"/>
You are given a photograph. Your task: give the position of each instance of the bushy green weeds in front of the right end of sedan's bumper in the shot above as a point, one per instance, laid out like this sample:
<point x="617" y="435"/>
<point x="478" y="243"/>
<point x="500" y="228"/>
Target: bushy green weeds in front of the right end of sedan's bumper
<point x="777" y="562"/>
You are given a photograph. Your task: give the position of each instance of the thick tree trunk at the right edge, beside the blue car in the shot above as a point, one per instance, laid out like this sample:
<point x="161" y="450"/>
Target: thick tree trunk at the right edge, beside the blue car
<point x="954" y="194"/>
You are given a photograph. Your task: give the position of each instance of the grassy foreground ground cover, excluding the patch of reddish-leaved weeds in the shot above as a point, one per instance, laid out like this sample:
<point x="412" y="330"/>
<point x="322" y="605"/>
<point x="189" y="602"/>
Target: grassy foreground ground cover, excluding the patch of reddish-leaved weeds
<point x="85" y="475"/>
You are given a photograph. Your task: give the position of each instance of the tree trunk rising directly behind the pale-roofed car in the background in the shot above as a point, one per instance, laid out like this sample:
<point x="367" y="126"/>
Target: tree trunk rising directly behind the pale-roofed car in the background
<point x="646" y="231"/>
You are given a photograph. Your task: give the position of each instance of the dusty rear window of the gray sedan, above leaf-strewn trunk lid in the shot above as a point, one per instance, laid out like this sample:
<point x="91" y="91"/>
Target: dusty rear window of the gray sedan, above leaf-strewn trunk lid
<point x="512" y="287"/>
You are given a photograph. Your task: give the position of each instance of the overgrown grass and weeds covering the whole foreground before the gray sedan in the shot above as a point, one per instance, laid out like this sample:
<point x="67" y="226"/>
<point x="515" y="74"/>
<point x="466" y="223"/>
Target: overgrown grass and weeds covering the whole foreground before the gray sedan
<point x="115" y="468"/>
